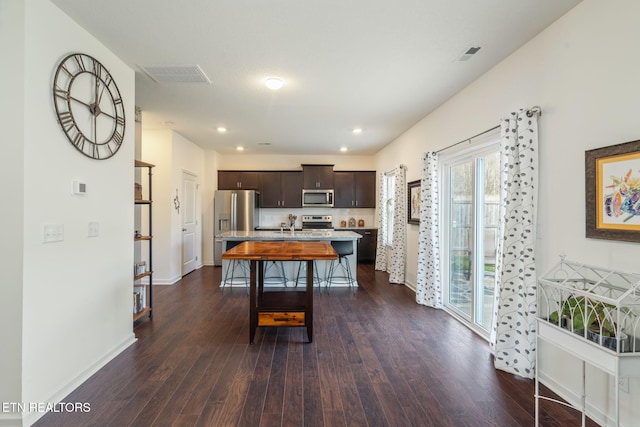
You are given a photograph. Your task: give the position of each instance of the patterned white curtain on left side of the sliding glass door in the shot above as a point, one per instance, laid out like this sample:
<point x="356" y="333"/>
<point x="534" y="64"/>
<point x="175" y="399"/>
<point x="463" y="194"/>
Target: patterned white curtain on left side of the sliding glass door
<point x="429" y="286"/>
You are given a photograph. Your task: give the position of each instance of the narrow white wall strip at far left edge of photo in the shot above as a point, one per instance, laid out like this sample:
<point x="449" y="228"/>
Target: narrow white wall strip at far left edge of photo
<point x="12" y="41"/>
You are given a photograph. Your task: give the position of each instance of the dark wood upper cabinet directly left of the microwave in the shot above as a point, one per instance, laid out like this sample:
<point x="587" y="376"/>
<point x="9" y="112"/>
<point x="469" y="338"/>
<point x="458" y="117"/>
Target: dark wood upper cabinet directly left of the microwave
<point x="281" y="189"/>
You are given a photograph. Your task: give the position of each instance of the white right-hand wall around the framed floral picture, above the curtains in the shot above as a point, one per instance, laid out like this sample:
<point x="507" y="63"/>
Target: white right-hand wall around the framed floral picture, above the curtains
<point x="582" y="72"/>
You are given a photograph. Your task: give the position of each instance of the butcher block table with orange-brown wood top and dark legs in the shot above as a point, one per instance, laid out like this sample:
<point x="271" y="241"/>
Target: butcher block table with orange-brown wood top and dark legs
<point x="288" y="307"/>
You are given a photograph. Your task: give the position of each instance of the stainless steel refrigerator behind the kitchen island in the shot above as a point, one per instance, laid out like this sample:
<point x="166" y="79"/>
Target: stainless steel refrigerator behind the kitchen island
<point x="233" y="210"/>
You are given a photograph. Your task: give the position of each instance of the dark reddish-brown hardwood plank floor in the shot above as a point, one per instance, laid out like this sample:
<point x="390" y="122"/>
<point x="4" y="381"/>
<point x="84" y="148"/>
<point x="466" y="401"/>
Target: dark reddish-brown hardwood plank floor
<point x="377" y="359"/>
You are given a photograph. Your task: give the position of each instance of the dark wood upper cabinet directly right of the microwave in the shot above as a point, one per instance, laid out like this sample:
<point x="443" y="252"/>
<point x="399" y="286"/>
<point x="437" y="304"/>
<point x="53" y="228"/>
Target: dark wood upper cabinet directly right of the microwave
<point x="354" y="189"/>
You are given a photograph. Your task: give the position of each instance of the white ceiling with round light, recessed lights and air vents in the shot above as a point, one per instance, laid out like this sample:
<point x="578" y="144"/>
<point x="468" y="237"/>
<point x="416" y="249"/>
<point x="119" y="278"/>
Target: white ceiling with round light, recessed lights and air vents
<point x="375" y="64"/>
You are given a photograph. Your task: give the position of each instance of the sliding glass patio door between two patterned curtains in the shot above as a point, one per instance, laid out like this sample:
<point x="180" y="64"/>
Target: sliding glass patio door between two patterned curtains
<point x="470" y="204"/>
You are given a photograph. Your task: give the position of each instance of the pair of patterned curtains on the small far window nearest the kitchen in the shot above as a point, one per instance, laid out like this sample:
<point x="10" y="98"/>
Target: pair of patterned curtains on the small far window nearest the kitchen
<point x="396" y="265"/>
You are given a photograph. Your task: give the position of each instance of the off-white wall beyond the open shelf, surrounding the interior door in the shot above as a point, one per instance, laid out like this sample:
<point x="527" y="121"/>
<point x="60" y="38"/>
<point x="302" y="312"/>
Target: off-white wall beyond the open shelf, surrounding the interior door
<point x="171" y="154"/>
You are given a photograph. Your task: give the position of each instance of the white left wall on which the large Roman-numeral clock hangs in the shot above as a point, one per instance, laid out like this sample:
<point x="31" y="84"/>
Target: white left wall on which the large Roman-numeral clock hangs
<point x="76" y="293"/>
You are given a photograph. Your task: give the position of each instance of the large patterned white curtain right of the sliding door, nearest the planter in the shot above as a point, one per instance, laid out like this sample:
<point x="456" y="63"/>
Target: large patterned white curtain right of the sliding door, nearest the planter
<point x="513" y="335"/>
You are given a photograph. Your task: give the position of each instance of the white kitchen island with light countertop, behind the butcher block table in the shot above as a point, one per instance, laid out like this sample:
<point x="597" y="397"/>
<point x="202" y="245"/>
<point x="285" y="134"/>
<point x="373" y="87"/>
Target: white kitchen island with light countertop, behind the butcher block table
<point x="292" y="272"/>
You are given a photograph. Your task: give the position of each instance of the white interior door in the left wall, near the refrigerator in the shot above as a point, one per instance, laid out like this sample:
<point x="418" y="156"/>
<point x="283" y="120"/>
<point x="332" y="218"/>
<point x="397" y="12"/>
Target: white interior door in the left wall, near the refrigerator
<point x="188" y="207"/>
